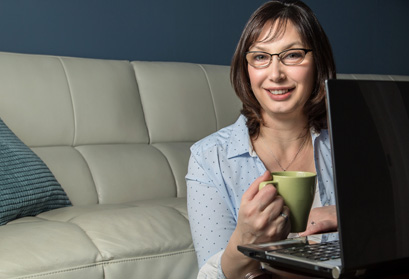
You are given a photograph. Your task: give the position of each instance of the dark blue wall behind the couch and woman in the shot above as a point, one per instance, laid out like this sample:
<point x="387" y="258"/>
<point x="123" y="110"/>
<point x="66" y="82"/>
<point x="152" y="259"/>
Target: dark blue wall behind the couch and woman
<point x="368" y="36"/>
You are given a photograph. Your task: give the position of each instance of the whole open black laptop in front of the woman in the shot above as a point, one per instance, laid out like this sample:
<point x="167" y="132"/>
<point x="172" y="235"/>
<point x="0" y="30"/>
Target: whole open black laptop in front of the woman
<point x="369" y="134"/>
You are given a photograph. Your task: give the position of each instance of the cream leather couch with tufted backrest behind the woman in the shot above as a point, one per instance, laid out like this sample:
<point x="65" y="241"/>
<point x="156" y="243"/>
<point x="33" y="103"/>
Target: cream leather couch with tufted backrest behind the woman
<point x="116" y="135"/>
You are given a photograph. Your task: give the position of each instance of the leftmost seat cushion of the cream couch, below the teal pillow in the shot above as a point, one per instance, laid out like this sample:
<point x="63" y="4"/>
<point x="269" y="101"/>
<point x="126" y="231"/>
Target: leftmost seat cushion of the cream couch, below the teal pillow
<point x="32" y="246"/>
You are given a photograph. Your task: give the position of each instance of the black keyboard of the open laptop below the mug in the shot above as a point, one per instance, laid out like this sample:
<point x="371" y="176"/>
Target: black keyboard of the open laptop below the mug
<point x="317" y="251"/>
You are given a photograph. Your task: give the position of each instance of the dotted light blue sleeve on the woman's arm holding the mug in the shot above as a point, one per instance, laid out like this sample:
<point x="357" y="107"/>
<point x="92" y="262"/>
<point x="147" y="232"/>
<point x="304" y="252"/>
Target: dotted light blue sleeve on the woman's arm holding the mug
<point x="211" y="220"/>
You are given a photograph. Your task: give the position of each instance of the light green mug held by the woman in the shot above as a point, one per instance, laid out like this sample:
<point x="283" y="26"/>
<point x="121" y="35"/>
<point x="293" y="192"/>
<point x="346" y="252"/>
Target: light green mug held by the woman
<point x="297" y="188"/>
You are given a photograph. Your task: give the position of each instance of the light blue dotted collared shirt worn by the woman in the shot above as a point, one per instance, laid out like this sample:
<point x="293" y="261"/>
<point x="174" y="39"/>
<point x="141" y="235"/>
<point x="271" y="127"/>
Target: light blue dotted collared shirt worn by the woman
<point x="222" y="166"/>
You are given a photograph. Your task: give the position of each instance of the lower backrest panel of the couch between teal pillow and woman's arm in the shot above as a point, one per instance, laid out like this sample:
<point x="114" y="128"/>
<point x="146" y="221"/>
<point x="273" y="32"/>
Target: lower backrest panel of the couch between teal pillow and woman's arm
<point x="128" y="172"/>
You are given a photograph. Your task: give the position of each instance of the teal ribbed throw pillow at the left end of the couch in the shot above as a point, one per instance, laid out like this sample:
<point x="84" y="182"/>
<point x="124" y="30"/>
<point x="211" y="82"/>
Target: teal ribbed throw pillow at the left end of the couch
<point x="27" y="186"/>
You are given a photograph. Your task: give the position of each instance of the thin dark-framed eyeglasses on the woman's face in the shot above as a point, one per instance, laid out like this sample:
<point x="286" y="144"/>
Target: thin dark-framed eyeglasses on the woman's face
<point x="289" y="57"/>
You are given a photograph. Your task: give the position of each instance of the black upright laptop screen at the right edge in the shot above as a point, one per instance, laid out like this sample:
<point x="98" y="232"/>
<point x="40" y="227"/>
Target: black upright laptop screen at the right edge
<point x="369" y="128"/>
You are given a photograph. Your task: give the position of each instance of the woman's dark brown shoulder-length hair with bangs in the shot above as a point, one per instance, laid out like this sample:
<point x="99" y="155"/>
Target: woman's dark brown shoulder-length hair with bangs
<point x="312" y="34"/>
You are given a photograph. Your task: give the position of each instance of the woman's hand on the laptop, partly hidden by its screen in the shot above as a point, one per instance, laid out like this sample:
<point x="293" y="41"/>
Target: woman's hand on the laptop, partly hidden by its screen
<point x="321" y="219"/>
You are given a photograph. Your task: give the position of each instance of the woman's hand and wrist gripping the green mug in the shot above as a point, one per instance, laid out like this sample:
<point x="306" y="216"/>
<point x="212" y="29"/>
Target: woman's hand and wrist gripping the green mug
<point x="259" y="220"/>
